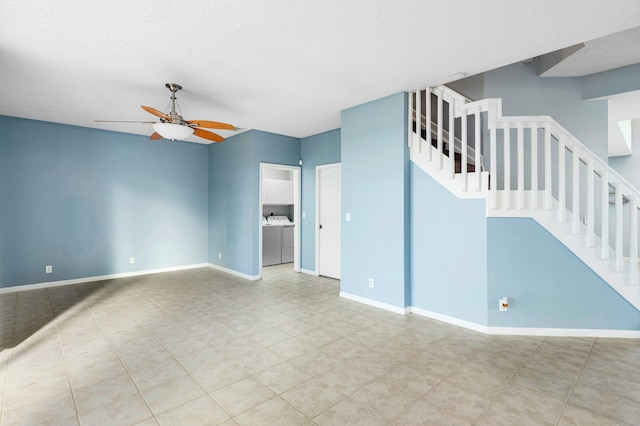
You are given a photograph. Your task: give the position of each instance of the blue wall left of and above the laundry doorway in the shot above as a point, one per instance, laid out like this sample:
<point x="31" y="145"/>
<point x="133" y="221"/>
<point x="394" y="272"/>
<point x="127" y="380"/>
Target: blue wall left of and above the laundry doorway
<point x="234" y="182"/>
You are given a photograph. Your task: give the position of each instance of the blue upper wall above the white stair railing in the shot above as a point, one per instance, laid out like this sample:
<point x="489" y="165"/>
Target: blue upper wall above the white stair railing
<point x="524" y="93"/>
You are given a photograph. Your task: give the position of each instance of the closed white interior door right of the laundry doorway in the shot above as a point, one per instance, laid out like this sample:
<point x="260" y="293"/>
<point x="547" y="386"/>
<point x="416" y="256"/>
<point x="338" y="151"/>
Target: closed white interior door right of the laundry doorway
<point x="329" y="214"/>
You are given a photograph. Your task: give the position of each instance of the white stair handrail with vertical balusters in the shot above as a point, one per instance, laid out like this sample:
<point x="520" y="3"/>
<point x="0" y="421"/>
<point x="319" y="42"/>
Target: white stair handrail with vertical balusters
<point x="579" y="153"/>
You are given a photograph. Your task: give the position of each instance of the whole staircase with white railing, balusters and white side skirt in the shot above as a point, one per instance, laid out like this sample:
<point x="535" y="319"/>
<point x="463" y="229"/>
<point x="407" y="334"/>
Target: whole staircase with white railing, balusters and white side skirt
<point x="530" y="167"/>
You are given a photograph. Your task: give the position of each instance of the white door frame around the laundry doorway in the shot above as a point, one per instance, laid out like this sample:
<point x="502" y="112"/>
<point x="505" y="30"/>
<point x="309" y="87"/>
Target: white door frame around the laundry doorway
<point x="296" y="212"/>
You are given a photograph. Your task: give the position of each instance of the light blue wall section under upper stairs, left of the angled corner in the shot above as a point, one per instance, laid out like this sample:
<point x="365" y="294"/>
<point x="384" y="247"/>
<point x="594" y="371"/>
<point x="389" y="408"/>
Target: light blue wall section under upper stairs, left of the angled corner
<point x="448" y="251"/>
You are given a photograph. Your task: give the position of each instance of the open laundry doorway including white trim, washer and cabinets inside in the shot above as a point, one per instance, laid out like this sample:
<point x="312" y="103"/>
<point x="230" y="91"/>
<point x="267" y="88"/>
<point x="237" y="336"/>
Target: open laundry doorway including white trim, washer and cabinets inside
<point x="279" y="205"/>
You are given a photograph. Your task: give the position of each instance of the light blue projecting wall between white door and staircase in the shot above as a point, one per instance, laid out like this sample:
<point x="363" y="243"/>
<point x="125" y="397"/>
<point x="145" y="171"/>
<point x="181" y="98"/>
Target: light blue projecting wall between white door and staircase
<point x="375" y="183"/>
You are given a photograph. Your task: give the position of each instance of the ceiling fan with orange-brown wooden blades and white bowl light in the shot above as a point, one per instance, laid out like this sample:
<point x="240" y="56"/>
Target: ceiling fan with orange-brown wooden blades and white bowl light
<point x="172" y="126"/>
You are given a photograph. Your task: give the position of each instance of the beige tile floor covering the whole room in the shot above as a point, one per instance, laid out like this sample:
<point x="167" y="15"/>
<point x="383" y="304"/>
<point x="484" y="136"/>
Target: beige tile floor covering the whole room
<point x="202" y="347"/>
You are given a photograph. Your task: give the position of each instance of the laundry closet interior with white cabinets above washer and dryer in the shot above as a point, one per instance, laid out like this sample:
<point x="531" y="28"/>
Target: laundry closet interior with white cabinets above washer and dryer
<point x="277" y="217"/>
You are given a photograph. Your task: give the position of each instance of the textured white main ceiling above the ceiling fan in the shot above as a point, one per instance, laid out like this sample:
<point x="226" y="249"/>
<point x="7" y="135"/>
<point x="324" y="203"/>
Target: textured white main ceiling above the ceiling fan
<point x="285" y="66"/>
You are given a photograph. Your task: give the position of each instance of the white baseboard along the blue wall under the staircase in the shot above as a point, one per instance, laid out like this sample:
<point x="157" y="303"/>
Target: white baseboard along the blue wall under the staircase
<point x="527" y="331"/>
